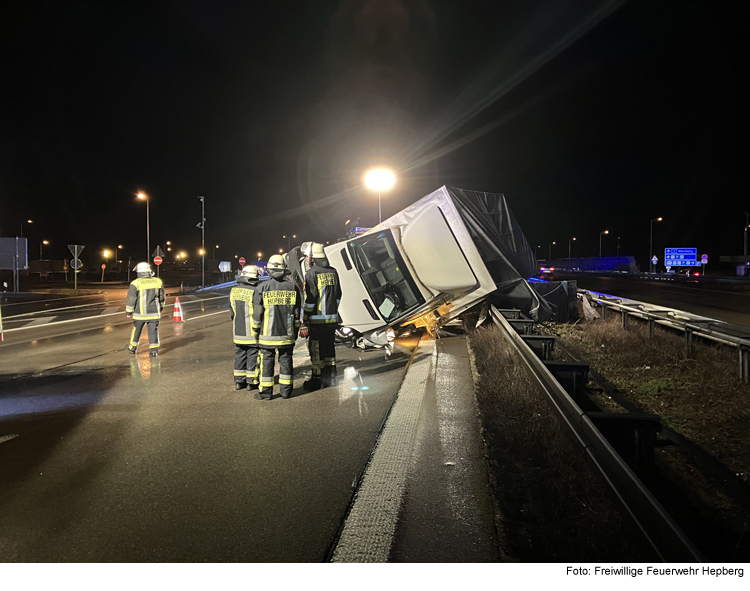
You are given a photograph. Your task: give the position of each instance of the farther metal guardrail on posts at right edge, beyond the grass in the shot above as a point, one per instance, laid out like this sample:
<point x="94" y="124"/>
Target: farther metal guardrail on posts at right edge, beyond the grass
<point x="691" y="324"/>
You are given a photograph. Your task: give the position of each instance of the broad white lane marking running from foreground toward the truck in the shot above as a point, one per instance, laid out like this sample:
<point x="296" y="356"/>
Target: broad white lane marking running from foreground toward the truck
<point x="368" y="531"/>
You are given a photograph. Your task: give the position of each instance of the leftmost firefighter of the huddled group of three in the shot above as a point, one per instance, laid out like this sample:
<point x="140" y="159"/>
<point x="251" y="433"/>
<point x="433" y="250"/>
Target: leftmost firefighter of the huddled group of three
<point x="245" y="340"/>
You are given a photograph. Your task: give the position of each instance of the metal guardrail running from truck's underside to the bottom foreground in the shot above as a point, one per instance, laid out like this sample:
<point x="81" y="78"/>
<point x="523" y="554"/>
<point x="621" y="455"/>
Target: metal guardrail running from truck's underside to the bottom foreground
<point x="664" y="535"/>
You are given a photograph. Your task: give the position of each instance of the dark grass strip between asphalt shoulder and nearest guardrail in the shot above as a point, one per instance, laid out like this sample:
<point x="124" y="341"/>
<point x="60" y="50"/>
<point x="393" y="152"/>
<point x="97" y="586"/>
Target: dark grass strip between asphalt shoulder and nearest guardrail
<point x="551" y="507"/>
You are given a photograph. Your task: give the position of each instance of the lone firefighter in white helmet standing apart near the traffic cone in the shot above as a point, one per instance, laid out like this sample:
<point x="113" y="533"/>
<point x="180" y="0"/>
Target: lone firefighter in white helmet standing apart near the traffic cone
<point x="144" y="306"/>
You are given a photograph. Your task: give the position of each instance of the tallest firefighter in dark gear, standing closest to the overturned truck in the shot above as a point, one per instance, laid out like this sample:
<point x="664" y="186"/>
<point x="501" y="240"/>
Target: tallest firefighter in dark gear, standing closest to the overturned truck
<point x="321" y="317"/>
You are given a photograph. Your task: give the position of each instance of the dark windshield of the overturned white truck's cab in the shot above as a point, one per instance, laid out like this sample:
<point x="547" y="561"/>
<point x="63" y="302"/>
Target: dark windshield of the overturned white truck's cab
<point x="385" y="275"/>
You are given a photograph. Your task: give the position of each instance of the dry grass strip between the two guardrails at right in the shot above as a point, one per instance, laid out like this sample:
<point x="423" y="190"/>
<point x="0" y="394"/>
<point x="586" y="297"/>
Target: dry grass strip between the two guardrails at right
<point x="700" y="397"/>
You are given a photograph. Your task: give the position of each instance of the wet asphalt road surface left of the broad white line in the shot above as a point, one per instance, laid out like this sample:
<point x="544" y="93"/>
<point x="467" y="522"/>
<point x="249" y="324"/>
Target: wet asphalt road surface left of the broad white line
<point x="107" y="457"/>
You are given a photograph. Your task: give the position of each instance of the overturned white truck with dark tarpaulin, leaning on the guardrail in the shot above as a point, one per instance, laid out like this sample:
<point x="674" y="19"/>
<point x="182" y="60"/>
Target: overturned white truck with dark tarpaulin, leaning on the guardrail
<point x="432" y="261"/>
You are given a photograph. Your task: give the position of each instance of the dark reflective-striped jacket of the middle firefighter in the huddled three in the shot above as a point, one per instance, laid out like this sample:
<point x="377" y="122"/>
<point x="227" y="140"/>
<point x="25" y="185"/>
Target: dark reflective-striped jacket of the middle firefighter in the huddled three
<point x="276" y="311"/>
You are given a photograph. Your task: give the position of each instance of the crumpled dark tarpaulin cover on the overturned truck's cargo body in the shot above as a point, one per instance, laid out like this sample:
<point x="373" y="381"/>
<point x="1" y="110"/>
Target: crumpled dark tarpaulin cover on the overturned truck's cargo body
<point x="504" y="250"/>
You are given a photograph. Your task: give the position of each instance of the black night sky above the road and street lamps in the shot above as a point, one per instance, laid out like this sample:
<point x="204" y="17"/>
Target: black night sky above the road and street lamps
<point x="587" y="115"/>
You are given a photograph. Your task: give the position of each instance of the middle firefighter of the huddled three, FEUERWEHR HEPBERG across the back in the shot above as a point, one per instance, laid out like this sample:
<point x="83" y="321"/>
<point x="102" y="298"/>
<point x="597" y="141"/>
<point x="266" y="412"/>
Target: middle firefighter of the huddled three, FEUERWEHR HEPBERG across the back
<point x="276" y="321"/>
